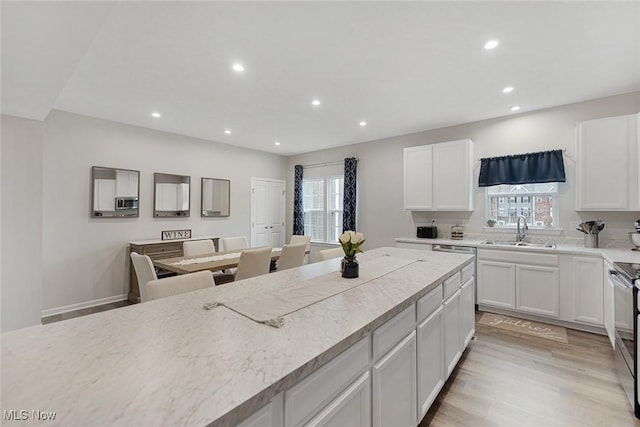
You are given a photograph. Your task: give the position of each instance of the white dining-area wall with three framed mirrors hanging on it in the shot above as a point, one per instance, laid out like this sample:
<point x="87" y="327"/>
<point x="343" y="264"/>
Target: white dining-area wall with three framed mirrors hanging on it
<point x="84" y="259"/>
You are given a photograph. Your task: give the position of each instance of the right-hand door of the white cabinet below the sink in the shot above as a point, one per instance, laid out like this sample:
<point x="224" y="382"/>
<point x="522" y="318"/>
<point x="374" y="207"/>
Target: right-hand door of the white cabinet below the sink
<point x="538" y="290"/>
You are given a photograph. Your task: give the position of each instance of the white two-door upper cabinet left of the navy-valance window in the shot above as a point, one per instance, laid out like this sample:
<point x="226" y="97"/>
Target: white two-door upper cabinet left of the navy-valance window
<point x="439" y="177"/>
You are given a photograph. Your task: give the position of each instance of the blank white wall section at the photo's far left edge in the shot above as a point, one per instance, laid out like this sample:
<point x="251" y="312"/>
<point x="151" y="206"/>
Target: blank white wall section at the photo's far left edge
<point x="21" y="223"/>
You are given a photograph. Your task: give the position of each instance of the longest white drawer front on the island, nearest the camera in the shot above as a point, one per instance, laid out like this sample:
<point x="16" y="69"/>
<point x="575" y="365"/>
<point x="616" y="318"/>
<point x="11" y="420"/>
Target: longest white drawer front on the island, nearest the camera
<point x="309" y="396"/>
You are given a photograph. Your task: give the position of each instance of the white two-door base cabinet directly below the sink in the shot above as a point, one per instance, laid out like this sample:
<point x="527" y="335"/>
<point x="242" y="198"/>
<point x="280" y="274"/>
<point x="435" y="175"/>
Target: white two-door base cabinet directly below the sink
<point x="524" y="282"/>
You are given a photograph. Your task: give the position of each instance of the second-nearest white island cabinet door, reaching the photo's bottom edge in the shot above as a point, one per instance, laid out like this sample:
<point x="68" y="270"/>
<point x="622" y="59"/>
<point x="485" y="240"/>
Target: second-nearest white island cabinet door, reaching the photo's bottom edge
<point x="394" y="398"/>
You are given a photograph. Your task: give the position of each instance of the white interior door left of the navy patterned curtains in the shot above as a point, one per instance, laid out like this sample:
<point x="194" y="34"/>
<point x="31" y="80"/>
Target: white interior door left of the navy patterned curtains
<point x="267" y="212"/>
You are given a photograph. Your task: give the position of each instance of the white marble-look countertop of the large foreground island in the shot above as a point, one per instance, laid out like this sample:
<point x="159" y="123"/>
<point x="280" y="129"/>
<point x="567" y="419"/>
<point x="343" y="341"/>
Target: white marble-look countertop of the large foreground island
<point x="169" y="362"/>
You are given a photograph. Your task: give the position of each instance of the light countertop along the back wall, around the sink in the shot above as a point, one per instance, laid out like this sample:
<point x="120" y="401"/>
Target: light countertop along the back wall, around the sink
<point x="610" y="254"/>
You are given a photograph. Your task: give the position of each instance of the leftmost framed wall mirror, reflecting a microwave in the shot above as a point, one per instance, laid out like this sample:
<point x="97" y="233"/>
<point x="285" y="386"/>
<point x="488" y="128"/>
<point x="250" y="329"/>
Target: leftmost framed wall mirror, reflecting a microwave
<point x="114" y="192"/>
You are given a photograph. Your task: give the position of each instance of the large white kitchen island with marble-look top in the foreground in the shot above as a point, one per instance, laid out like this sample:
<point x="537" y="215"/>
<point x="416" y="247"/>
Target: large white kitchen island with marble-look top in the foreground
<point x="171" y="362"/>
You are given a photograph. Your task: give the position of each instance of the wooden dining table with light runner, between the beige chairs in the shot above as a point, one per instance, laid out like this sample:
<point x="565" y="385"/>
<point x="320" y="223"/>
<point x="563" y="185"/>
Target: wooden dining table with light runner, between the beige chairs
<point x="213" y="262"/>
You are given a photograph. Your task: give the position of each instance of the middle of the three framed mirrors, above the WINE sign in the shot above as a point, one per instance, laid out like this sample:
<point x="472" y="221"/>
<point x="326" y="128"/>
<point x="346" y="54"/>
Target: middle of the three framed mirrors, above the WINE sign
<point x="171" y="195"/>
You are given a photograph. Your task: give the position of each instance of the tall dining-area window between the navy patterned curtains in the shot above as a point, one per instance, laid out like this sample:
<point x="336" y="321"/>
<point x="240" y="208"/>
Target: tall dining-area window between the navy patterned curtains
<point x="323" y="208"/>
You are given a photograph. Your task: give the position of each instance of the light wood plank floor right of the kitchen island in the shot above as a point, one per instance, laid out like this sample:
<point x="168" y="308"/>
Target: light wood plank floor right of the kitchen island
<point x="508" y="379"/>
